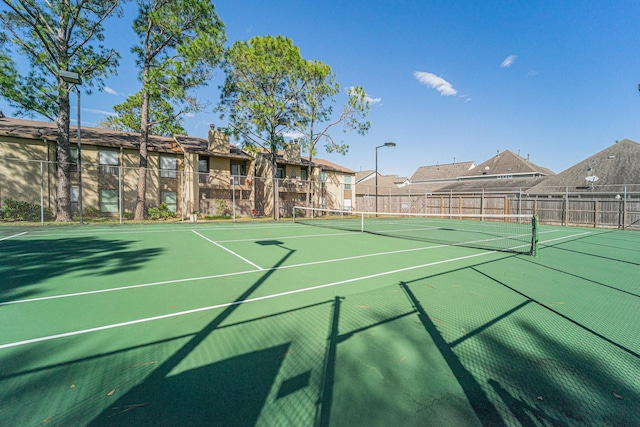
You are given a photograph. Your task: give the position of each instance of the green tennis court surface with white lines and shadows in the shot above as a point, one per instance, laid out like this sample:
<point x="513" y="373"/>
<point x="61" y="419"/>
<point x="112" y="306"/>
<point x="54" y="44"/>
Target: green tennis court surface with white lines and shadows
<point x="283" y="324"/>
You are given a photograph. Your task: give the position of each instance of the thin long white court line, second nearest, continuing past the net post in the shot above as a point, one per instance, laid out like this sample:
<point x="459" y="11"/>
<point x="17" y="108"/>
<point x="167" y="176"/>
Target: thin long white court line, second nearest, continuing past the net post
<point x="217" y="276"/>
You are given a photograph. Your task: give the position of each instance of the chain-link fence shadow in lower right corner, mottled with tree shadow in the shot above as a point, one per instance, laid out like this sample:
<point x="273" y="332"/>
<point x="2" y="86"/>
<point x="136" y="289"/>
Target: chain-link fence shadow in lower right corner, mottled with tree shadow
<point x="526" y="363"/>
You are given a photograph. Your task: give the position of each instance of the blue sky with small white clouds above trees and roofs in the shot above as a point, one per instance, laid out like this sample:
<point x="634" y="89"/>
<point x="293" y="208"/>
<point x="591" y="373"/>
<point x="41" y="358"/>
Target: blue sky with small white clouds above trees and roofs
<point x="554" y="80"/>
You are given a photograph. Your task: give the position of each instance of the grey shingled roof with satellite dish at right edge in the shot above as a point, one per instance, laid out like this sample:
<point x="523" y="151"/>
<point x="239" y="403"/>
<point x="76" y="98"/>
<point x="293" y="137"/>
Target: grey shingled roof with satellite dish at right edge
<point x="618" y="164"/>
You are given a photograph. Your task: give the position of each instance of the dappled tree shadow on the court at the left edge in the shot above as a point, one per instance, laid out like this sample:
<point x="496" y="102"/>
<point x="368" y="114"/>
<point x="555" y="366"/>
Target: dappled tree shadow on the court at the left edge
<point x="26" y="262"/>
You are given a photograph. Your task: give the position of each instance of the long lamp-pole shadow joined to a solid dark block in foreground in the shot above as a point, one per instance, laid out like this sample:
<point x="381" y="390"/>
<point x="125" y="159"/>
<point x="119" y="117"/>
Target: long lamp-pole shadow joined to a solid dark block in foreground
<point x="230" y="392"/>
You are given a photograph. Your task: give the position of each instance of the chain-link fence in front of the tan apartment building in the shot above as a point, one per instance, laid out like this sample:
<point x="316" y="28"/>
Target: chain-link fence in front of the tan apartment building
<point x="111" y="191"/>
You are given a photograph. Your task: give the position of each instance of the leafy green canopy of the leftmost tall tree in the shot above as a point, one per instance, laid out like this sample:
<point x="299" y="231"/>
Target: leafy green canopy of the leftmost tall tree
<point x="55" y="36"/>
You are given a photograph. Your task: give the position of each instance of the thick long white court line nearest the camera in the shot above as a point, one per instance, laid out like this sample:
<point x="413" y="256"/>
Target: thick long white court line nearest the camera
<point x="229" y="304"/>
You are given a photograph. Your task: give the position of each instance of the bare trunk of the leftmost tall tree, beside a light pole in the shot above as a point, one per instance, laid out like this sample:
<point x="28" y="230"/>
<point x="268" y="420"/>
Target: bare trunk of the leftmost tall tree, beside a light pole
<point x="63" y="156"/>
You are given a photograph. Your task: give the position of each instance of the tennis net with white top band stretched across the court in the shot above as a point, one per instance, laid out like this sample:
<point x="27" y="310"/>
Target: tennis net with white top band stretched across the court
<point x="506" y="233"/>
